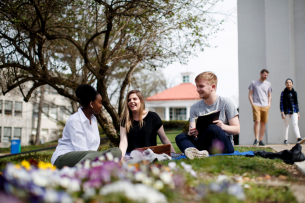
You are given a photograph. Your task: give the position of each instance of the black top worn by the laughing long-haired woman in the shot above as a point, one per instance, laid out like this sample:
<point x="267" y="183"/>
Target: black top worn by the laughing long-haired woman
<point x="147" y="135"/>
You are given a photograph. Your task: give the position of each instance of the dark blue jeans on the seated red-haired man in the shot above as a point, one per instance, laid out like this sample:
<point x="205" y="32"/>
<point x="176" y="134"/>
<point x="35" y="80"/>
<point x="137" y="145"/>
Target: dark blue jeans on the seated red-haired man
<point x="213" y="139"/>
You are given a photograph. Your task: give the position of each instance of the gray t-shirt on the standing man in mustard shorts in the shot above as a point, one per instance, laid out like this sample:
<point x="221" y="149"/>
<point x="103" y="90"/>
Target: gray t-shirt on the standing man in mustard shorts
<point x="260" y="92"/>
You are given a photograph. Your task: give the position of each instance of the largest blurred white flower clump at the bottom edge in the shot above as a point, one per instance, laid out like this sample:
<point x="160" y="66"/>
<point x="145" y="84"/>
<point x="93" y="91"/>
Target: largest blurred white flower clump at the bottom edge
<point x="135" y="192"/>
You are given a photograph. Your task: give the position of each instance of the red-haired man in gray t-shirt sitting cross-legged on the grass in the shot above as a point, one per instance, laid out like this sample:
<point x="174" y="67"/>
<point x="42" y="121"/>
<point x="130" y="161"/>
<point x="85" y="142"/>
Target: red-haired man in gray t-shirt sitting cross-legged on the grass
<point x="217" y="138"/>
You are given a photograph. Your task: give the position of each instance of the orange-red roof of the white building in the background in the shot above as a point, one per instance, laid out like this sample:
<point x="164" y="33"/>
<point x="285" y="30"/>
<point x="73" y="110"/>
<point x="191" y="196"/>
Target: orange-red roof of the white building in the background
<point x="184" y="91"/>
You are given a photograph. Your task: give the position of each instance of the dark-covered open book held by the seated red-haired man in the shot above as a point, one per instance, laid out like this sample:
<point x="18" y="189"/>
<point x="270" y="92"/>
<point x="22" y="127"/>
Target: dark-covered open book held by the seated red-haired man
<point x="204" y="121"/>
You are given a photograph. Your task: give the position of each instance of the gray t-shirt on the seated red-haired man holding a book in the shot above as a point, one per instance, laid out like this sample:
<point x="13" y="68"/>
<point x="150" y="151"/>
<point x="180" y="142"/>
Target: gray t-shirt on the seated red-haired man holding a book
<point x="225" y="105"/>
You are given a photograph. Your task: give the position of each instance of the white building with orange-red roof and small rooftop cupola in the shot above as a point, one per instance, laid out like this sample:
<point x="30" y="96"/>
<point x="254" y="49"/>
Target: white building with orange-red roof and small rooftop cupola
<point x="175" y="103"/>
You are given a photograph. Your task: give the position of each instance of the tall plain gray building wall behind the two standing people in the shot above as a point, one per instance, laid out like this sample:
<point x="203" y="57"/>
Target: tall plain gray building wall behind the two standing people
<point x="271" y="35"/>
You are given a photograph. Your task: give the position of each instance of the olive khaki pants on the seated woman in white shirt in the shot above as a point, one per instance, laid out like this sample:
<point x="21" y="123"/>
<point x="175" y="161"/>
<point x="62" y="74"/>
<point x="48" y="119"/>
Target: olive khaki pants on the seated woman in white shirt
<point x="72" y="158"/>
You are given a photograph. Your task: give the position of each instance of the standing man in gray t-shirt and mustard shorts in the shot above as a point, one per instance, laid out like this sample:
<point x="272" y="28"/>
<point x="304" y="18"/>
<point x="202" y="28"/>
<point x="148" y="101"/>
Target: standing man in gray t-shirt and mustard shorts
<point x="260" y="99"/>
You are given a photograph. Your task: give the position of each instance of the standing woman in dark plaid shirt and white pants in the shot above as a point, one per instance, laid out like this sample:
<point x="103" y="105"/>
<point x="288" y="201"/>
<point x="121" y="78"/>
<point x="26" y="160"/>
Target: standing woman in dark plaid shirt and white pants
<point x="290" y="109"/>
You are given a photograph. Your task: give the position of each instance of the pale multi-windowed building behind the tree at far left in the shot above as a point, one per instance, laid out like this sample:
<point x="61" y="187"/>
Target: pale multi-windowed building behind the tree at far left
<point x="18" y="119"/>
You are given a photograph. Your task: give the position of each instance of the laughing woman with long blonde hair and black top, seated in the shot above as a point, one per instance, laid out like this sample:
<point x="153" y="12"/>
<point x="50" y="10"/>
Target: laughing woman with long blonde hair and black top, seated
<point x="139" y="128"/>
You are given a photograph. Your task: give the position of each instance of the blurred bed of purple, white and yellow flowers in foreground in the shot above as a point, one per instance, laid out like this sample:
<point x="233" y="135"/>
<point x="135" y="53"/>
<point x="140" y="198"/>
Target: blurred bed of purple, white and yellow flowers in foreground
<point x="107" y="180"/>
